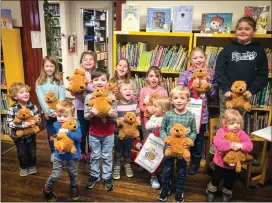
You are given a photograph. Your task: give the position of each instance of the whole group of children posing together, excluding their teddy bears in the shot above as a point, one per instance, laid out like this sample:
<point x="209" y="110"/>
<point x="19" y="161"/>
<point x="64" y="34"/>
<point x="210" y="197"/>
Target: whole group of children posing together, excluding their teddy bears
<point x="102" y="135"/>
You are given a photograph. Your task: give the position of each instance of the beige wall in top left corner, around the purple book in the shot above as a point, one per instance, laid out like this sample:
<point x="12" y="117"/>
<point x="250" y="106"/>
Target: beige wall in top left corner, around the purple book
<point x="15" y="7"/>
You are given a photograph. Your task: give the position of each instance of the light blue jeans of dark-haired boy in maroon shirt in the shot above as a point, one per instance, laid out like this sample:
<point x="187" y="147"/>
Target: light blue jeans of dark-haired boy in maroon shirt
<point x="101" y="147"/>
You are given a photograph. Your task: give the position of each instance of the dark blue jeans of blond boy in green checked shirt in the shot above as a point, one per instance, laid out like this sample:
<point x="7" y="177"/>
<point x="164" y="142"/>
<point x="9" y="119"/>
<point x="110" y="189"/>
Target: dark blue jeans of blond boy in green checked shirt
<point x="168" y="165"/>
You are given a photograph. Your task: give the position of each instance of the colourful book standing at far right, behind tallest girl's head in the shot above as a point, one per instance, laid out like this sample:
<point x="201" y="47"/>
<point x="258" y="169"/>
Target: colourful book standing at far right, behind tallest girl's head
<point x="260" y="15"/>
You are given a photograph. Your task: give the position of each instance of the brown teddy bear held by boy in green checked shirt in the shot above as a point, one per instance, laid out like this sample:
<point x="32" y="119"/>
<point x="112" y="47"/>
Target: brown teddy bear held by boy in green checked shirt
<point x="176" y="140"/>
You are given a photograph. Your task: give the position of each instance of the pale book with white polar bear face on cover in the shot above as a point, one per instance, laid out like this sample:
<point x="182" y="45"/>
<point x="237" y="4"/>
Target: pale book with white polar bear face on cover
<point x="183" y="18"/>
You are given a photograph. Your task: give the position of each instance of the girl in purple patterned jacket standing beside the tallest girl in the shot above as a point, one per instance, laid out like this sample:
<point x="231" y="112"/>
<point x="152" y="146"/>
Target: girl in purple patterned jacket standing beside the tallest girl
<point x="198" y="59"/>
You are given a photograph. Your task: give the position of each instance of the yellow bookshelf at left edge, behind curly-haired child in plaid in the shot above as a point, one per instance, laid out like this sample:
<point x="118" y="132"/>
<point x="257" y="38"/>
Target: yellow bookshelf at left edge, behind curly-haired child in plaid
<point x="12" y="71"/>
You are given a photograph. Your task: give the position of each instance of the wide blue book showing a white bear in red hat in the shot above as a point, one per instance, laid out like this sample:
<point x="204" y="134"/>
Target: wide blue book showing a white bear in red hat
<point x="216" y="23"/>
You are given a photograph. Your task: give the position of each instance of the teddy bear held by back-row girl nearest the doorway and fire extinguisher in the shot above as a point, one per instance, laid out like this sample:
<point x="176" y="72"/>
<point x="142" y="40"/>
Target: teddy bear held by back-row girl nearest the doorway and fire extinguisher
<point x="78" y="81"/>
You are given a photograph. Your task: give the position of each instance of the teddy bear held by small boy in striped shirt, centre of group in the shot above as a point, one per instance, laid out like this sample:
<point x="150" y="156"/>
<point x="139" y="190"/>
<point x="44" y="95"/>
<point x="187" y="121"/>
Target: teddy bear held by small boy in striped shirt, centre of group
<point x="129" y="126"/>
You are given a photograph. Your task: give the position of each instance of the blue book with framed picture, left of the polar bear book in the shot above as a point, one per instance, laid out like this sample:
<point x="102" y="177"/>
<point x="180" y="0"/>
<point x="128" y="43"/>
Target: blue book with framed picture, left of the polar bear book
<point x="158" y="19"/>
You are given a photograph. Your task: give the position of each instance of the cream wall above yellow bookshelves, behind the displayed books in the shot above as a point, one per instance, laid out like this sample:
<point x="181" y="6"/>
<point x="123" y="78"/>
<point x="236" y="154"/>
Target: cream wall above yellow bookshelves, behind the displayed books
<point x="235" y="7"/>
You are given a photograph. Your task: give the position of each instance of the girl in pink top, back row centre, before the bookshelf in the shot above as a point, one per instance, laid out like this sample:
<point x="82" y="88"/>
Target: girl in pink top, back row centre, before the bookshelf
<point x="153" y="78"/>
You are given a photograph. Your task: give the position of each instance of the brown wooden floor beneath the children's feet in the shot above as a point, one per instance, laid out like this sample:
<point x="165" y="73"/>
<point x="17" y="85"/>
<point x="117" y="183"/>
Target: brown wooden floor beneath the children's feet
<point x="137" y="189"/>
